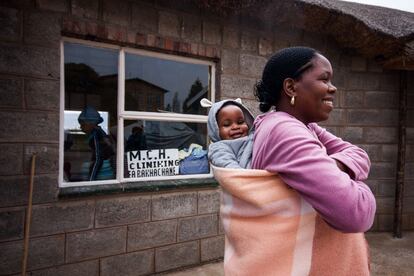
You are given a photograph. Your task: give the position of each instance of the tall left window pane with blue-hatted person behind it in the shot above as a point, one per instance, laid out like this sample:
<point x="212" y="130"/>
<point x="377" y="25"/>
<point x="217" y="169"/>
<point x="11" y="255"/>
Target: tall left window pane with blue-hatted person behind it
<point x="90" y="116"/>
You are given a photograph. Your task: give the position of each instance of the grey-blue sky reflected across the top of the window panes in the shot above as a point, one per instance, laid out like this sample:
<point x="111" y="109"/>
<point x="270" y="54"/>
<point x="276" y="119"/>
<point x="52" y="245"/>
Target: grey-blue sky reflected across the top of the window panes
<point x="173" y="76"/>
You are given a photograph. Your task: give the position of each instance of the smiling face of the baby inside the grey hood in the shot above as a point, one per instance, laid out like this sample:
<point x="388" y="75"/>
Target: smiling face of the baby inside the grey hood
<point x="231" y="123"/>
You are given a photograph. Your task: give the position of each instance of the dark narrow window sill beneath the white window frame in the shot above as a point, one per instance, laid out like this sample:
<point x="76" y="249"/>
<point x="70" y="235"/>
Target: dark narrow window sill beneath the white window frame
<point x="134" y="187"/>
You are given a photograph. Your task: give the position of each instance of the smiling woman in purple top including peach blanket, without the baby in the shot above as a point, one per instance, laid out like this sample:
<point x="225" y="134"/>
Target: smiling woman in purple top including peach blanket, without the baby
<point x="303" y="207"/>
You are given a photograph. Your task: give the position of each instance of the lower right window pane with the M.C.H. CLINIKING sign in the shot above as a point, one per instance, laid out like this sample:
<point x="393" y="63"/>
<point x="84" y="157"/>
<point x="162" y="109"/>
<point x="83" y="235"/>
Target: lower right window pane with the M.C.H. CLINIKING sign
<point x="158" y="148"/>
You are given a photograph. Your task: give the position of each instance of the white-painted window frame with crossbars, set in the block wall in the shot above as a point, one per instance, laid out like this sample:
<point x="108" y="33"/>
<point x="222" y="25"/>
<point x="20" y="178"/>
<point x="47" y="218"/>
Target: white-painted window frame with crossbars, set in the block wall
<point x="135" y="115"/>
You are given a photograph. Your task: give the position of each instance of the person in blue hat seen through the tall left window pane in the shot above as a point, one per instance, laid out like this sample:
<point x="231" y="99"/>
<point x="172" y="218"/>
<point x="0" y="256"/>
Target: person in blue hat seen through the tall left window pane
<point x="101" y="165"/>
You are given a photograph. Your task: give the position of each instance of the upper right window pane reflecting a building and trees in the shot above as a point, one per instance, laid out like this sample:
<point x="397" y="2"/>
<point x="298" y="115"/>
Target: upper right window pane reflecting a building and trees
<point x="156" y="85"/>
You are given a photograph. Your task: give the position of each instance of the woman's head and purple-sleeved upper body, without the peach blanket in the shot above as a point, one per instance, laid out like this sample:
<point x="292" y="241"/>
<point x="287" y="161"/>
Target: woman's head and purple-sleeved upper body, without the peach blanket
<point x="297" y="82"/>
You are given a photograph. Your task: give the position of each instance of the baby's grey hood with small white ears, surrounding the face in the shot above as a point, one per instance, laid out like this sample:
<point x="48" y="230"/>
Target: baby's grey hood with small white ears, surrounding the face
<point x="212" y="126"/>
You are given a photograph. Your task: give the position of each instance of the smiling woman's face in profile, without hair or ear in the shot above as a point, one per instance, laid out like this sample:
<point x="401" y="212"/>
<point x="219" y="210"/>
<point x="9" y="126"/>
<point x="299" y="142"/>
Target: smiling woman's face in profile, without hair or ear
<point x="315" y="92"/>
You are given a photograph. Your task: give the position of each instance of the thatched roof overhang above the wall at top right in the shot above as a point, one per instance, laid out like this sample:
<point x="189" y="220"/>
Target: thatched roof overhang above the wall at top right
<point x="384" y="34"/>
